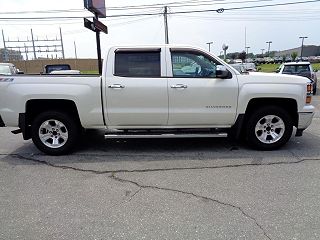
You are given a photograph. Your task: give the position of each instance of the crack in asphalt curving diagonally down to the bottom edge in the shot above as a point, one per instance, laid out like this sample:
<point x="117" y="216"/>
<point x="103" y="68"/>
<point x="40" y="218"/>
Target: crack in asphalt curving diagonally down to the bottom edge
<point x="194" y="195"/>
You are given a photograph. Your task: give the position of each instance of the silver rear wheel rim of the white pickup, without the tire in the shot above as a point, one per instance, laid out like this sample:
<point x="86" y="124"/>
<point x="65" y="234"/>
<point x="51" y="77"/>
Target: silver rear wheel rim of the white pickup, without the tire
<point x="53" y="133"/>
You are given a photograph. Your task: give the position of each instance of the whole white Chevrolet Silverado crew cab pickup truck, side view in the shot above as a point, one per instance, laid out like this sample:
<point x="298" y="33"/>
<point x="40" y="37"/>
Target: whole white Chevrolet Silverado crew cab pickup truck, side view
<point x="157" y="91"/>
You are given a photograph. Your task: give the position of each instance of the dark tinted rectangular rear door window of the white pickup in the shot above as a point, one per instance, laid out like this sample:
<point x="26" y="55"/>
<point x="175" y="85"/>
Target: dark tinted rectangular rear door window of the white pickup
<point x="137" y="64"/>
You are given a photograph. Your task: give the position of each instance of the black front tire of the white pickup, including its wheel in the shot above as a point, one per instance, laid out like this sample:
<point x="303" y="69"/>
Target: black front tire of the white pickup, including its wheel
<point x="269" y="128"/>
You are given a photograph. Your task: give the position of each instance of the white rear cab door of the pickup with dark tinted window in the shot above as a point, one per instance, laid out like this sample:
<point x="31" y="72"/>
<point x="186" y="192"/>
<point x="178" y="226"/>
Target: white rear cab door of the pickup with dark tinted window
<point x="137" y="88"/>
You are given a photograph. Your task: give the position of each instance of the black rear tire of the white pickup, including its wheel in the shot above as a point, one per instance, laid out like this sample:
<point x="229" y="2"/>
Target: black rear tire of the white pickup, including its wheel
<point x="55" y="133"/>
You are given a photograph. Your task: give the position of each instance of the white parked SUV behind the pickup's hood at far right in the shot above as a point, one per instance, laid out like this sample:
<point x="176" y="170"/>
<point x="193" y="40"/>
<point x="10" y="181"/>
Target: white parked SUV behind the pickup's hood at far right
<point x="303" y="69"/>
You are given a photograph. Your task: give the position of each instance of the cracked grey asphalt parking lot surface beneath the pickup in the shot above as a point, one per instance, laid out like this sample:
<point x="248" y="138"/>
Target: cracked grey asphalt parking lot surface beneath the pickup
<point x="161" y="189"/>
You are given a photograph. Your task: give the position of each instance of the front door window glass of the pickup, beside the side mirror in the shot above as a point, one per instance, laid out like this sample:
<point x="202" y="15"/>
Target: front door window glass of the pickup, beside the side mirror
<point x="192" y="65"/>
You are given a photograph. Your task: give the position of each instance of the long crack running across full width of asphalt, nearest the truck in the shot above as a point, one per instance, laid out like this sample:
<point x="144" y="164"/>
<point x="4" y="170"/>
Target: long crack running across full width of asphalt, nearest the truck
<point x="157" y="169"/>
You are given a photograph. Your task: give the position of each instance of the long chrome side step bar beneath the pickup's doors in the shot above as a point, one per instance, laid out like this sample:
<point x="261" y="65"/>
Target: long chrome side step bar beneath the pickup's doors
<point x="165" y="135"/>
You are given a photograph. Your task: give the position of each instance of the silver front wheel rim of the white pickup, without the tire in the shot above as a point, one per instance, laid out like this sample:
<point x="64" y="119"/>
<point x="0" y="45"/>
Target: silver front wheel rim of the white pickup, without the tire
<point x="270" y="129"/>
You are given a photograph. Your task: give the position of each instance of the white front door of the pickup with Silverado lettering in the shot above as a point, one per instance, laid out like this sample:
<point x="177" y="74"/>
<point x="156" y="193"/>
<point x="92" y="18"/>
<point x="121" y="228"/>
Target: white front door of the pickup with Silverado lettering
<point x="196" y="95"/>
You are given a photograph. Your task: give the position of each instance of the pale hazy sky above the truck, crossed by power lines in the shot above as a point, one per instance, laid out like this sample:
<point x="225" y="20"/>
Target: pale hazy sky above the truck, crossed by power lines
<point x="283" y="24"/>
